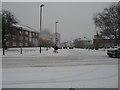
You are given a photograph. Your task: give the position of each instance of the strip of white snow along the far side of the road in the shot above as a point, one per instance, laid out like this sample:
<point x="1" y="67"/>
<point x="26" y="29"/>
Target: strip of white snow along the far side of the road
<point x="15" y="52"/>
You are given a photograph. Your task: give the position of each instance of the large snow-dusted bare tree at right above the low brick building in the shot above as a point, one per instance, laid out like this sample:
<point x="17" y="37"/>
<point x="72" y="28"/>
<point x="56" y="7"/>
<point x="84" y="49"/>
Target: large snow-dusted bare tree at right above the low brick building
<point x="108" y="22"/>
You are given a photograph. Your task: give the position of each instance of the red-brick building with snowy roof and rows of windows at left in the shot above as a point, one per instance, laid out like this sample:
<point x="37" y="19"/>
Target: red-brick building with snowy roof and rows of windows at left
<point x="22" y="36"/>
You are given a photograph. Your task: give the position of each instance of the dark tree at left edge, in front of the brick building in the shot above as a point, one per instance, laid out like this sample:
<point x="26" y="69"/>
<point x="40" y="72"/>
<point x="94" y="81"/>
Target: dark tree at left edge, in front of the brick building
<point x="8" y="19"/>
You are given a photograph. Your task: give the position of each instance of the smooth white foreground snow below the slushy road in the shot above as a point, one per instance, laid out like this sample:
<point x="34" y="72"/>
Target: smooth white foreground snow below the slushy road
<point x="103" y="76"/>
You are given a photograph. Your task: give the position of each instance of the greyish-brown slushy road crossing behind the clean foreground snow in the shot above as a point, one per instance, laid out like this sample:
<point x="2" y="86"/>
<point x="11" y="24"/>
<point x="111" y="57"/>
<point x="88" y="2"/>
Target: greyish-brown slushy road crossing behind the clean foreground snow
<point x="63" y="58"/>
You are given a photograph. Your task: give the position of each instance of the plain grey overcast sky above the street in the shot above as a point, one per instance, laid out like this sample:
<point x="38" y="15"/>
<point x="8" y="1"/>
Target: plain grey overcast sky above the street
<point x="75" y="18"/>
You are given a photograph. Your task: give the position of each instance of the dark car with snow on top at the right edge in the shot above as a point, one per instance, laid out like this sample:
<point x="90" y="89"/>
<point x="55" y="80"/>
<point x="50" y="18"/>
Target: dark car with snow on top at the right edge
<point x="114" y="52"/>
